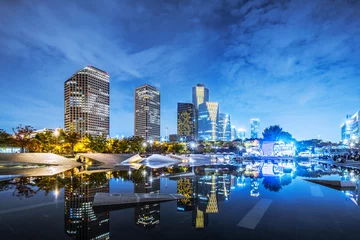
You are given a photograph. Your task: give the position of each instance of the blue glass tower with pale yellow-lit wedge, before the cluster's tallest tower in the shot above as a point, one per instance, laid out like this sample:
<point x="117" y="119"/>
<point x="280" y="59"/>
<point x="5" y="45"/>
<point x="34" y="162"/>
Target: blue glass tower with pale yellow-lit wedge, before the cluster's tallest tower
<point x="208" y="121"/>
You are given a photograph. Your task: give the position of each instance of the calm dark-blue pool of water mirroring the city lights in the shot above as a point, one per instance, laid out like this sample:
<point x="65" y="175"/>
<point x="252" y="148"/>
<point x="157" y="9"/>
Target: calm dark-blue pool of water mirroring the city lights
<point x="225" y="202"/>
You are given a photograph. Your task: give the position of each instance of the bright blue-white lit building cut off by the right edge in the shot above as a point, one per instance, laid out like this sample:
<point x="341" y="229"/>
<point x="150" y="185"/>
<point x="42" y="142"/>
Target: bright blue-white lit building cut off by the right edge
<point x="350" y="129"/>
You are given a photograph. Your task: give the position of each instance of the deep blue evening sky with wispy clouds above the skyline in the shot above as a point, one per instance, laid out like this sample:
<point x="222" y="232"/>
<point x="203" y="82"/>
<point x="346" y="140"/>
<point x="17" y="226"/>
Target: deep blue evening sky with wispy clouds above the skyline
<point x="291" y="63"/>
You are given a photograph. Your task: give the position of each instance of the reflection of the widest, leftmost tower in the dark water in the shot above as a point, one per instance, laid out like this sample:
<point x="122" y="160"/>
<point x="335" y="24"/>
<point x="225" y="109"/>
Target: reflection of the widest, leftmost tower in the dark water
<point x="81" y="222"/>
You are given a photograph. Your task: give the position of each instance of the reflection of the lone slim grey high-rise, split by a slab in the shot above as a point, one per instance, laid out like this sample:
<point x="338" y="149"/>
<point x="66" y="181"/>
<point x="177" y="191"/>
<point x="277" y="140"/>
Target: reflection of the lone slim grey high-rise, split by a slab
<point x="147" y="216"/>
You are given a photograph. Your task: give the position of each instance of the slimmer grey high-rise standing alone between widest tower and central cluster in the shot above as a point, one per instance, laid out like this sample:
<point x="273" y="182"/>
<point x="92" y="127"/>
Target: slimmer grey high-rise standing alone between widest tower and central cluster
<point x="147" y="112"/>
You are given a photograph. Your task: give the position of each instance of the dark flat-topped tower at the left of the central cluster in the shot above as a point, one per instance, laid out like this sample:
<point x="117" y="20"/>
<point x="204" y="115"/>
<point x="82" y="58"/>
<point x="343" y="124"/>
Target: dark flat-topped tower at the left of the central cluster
<point x="186" y="119"/>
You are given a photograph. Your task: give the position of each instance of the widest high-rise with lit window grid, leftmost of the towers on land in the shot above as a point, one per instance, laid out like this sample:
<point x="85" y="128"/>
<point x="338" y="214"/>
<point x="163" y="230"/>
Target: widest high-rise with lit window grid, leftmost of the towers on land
<point x="87" y="102"/>
